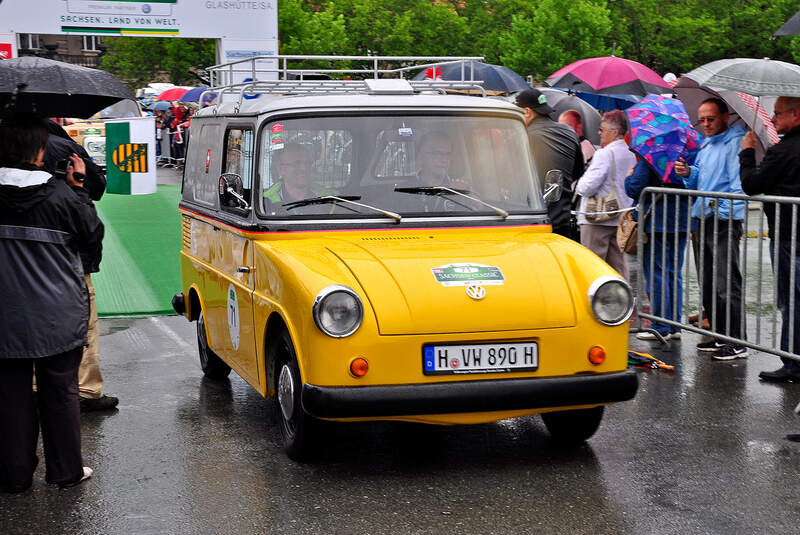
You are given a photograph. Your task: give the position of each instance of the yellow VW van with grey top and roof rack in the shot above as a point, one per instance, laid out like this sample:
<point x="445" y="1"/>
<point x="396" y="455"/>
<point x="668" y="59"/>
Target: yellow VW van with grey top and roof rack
<point x="379" y="249"/>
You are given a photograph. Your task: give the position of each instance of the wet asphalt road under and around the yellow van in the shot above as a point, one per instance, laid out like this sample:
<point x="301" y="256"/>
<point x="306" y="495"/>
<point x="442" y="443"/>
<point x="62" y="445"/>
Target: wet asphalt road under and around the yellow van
<point x="699" y="450"/>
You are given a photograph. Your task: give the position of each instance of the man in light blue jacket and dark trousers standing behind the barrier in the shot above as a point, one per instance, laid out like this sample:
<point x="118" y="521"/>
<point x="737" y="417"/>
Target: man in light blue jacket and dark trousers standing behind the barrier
<point x="717" y="170"/>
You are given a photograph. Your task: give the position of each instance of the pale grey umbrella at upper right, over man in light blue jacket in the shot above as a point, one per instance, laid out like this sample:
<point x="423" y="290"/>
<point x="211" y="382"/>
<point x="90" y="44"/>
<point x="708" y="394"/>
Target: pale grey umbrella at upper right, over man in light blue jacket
<point x="757" y="77"/>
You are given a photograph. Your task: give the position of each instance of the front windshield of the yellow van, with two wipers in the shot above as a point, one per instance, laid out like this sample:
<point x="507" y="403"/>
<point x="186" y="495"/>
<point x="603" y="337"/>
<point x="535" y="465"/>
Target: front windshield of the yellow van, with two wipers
<point x="409" y="165"/>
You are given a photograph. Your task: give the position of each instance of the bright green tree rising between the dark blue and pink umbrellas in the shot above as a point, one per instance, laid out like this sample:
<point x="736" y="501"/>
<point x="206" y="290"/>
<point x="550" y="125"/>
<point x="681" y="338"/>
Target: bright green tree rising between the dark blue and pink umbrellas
<point x="555" y="33"/>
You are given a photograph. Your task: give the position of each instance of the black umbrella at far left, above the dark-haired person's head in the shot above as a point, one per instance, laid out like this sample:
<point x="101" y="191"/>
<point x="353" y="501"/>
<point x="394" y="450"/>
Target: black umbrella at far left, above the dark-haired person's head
<point x="56" y="89"/>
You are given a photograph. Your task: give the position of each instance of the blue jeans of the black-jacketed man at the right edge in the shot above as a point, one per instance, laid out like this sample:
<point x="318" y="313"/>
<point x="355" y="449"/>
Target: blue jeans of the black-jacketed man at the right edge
<point x="782" y="278"/>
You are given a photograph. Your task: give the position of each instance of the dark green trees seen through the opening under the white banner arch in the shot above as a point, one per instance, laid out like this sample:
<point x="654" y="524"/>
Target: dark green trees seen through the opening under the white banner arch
<point x="141" y="60"/>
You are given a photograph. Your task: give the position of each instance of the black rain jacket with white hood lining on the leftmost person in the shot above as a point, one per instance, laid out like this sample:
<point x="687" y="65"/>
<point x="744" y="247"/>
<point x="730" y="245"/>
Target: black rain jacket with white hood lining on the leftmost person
<point x="43" y="225"/>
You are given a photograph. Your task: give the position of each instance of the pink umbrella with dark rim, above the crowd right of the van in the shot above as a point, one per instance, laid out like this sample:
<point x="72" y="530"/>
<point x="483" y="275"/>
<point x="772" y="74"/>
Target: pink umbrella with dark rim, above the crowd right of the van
<point x="609" y="75"/>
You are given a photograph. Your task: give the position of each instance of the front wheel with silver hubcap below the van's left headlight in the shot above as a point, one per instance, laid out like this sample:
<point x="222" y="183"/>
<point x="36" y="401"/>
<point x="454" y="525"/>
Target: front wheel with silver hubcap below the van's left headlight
<point x="297" y="427"/>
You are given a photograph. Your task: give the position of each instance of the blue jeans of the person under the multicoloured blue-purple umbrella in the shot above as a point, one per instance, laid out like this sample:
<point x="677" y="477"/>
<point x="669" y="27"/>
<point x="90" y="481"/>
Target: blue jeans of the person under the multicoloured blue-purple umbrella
<point x="665" y="277"/>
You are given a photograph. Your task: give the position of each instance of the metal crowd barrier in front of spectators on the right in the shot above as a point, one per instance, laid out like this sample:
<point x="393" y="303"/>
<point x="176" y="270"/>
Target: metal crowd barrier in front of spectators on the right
<point x="760" y="323"/>
